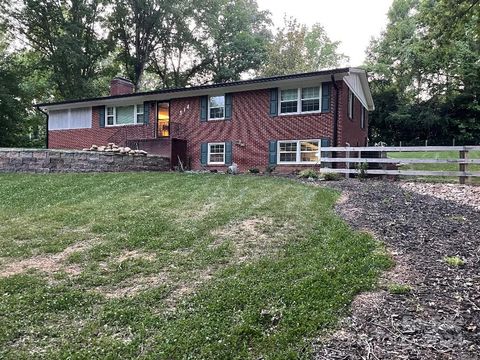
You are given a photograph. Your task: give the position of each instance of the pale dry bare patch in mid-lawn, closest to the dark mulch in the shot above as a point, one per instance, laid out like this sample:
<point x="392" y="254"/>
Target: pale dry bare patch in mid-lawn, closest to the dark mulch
<point x="251" y="238"/>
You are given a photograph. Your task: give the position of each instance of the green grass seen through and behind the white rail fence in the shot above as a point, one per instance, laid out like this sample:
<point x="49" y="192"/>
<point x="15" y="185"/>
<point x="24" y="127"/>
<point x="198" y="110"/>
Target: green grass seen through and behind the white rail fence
<point x="436" y="167"/>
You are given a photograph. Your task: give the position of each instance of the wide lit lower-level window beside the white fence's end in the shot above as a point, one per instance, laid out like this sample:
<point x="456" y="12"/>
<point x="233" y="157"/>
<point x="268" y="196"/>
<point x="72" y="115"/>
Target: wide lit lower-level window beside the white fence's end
<point x="298" y="152"/>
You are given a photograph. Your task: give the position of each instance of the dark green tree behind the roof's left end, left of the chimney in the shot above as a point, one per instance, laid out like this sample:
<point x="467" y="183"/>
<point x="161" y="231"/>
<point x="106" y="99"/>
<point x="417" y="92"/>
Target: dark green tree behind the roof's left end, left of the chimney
<point x="65" y="34"/>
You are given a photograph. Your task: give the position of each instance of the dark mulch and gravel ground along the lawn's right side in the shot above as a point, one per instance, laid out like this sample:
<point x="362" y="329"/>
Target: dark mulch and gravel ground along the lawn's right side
<point x="421" y="224"/>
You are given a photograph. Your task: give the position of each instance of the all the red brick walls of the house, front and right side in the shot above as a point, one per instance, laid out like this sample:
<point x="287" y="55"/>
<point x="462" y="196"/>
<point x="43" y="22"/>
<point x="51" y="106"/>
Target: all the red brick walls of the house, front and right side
<point x="250" y="129"/>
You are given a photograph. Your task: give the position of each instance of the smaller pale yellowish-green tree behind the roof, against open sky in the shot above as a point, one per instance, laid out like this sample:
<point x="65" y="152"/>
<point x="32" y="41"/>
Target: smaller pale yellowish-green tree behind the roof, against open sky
<point x="297" y="48"/>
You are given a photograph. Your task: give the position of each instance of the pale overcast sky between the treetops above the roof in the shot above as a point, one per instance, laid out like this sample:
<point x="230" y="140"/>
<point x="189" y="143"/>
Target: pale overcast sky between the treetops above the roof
<point x="353" y="22"/>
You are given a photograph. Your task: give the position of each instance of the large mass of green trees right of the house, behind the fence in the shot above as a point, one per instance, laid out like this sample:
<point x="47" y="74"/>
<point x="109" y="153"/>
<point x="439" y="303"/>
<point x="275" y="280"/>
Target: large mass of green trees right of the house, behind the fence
<point x="426" y="65"/>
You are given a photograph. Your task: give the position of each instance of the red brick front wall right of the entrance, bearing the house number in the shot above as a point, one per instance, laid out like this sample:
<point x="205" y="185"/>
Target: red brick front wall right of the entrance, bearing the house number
<point x="251" y="125"/>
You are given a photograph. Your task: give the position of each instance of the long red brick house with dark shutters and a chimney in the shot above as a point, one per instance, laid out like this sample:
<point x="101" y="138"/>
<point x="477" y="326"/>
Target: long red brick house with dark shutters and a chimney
<point x="281" y="121"/>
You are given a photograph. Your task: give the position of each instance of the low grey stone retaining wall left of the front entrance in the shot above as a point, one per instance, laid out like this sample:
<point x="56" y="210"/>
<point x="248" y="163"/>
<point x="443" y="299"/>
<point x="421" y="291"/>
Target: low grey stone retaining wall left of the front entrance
<point x="46" y="161"/>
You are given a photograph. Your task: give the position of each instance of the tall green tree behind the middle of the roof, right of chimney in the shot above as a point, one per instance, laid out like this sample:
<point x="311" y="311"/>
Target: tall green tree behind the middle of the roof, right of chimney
<point x="218" y="43"/>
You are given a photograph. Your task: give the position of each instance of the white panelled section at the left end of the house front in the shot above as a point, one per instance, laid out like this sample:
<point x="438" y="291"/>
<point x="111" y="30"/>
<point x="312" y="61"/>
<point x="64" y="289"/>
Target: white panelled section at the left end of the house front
<point x="78" y="118"/>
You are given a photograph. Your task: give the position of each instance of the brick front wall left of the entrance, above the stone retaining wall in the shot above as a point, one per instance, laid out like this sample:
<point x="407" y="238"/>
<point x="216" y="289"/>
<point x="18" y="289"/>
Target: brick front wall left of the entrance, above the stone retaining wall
<point x="82" y="138"/>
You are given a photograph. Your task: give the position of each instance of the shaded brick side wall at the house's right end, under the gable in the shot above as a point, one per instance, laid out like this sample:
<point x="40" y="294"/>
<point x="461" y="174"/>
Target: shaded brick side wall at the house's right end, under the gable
<point x="350" y="130"/>
